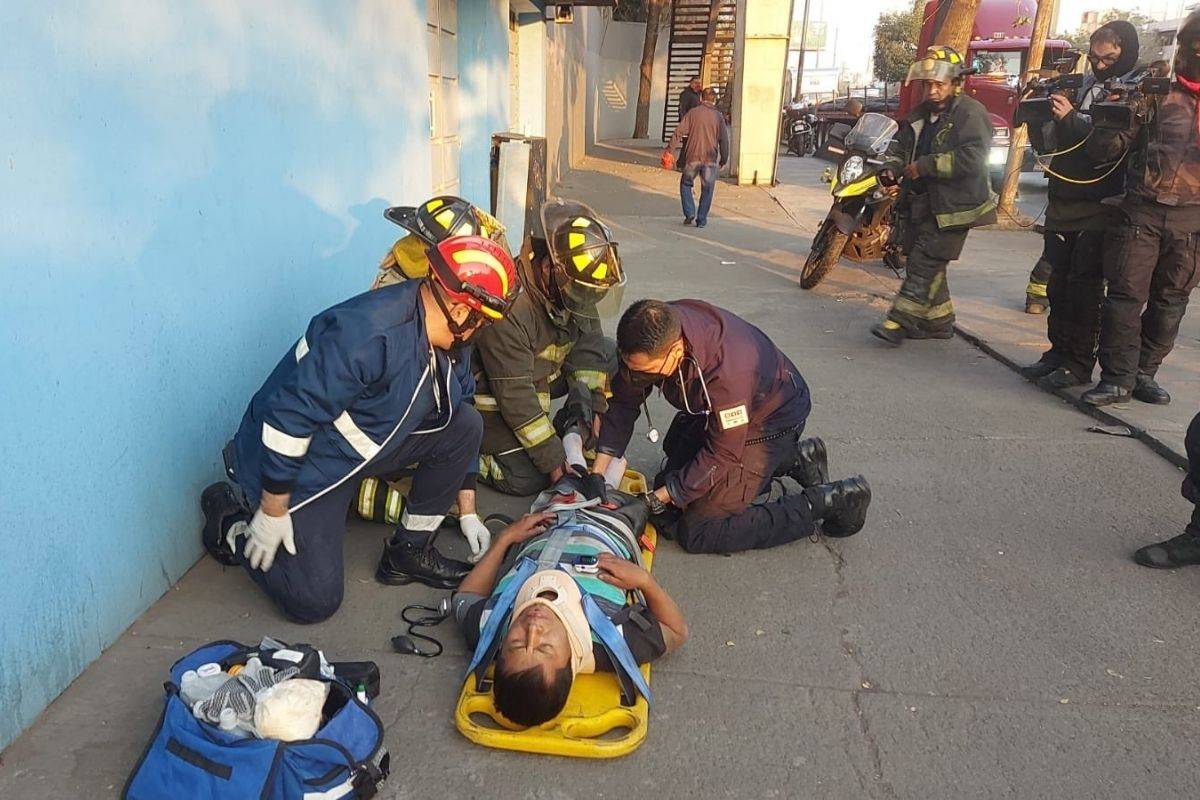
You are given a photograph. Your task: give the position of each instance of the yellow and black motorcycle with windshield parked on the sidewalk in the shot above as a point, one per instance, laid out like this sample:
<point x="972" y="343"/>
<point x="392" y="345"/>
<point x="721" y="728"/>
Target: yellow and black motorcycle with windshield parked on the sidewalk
<point x="860" y="222"/>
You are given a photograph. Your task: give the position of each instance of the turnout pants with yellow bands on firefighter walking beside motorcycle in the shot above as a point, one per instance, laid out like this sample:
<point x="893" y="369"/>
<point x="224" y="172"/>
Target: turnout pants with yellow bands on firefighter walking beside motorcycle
<point x="923" y="305"/>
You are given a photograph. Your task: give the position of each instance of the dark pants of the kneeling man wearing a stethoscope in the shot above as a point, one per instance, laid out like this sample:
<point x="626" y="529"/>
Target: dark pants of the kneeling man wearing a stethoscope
<point x="728" y="520"/>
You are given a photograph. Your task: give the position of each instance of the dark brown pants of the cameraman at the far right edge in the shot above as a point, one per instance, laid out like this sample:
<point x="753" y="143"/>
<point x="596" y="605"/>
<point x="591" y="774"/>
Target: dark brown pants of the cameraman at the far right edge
<point x="1150" y="264"/>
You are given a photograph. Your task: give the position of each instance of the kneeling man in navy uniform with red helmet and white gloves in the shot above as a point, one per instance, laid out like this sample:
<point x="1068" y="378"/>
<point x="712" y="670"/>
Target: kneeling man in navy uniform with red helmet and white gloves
<point x="379" y="384"/>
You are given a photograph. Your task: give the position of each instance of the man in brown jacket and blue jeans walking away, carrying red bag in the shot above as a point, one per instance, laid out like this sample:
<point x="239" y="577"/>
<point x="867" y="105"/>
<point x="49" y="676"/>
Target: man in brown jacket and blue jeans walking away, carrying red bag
<point x="707" y="152"/>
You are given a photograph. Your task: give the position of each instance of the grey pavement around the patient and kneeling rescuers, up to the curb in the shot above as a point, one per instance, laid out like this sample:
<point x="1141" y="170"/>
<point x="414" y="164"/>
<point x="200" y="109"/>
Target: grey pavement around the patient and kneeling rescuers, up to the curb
<point x="986" y="636"/>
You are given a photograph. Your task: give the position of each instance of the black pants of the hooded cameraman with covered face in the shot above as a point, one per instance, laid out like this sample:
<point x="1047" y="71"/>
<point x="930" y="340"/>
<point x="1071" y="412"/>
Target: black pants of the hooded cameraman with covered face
<point x="1076" y="290"/>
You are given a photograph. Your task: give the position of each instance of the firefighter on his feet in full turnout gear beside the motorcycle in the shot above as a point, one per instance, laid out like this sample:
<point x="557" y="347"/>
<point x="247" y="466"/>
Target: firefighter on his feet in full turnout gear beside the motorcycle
<point x="943" y="153"/>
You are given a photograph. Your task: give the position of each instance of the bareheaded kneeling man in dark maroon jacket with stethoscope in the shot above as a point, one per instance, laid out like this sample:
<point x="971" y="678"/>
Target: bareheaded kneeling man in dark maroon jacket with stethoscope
<point x="742" y="411"/>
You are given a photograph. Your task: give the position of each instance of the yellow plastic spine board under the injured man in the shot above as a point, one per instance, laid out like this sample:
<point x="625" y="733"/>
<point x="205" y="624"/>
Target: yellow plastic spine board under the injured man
<point x="593" y="719"/>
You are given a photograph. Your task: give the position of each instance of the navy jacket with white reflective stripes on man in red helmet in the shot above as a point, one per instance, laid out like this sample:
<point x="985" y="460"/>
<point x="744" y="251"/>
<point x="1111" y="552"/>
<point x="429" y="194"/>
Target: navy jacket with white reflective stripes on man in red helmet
<point x="361" y="381"/>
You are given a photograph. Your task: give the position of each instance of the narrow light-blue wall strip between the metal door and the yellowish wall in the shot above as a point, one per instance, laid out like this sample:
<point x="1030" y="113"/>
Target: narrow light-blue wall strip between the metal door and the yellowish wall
<point x="483" y="92"/>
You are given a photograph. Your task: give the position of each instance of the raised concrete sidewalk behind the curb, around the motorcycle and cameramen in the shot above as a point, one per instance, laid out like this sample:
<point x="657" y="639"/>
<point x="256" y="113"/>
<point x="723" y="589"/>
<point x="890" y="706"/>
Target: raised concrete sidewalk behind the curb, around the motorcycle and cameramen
<point x="988" y="287"/>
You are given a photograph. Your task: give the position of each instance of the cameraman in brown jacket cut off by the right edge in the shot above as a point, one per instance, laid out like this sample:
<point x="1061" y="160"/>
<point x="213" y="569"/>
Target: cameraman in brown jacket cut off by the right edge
<point x="1150" y="257"/>
